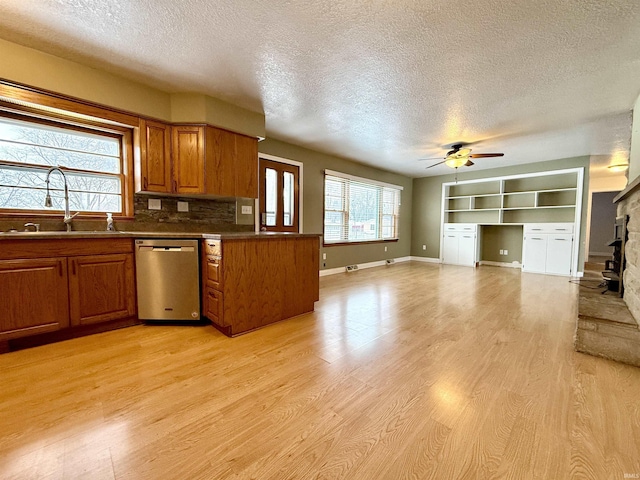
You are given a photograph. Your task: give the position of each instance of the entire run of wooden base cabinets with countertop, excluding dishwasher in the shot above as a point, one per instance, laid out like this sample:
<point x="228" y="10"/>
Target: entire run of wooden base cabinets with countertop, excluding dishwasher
<point x="58" y="285"/>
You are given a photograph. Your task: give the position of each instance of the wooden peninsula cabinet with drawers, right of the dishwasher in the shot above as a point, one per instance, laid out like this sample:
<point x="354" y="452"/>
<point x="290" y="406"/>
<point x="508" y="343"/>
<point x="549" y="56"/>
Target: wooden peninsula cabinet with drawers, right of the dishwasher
<point x="262" y="280"/>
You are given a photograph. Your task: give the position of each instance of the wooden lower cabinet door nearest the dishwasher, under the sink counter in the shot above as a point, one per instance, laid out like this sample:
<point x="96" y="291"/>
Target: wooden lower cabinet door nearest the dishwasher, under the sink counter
<point x="101" y="288"/>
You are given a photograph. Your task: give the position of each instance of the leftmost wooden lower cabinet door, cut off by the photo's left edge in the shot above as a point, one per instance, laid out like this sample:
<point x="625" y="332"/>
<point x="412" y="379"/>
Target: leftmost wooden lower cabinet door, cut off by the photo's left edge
<point x="34" y="297"/>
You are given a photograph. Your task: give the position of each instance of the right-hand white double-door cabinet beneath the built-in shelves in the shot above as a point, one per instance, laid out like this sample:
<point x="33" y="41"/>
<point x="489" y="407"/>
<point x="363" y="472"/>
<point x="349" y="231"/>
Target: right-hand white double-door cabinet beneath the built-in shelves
<point x="547" y="248"/>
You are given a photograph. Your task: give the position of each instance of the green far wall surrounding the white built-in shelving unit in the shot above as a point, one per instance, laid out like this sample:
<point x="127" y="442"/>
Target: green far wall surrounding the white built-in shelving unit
<point x="427" y="199"/>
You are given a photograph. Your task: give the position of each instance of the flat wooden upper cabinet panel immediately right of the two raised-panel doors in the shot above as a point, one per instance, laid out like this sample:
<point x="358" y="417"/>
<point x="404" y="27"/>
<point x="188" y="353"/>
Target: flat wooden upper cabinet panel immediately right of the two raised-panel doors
<point x="221" y="162"/>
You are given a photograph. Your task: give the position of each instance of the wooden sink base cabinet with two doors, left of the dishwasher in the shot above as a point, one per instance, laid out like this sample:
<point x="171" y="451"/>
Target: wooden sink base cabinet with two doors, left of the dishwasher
<point x="51" y="285"/>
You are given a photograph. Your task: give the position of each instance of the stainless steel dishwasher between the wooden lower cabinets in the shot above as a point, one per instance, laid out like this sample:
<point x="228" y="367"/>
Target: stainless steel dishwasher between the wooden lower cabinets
<point x="168" y="279"/>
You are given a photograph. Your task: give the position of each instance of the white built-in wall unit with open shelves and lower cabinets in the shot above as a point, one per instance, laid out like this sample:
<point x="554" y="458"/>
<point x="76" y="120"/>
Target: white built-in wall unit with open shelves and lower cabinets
<point x="545" y="203"/>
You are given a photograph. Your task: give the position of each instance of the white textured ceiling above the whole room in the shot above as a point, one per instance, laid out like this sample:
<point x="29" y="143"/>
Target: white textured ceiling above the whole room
<point x="380" y="82"/>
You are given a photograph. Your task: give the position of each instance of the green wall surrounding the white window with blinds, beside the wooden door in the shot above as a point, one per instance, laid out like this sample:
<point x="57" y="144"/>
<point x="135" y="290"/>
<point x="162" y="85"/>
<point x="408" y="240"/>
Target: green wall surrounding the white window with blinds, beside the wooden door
<point x="314" y="164"/>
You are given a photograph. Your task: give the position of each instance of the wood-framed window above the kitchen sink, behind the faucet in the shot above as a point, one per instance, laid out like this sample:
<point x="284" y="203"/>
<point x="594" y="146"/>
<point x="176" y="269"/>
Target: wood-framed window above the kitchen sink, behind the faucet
<point x="92" y="162"/>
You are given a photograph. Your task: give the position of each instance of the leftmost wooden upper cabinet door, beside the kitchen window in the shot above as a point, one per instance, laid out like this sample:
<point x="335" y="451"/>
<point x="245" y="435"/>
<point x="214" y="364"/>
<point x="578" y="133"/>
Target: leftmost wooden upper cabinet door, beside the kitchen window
<point x="155" y="157"/>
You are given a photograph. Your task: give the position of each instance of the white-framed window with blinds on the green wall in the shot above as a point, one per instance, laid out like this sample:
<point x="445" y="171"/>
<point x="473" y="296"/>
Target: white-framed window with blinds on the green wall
<point x="359" y="210"/>
